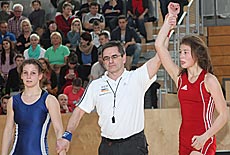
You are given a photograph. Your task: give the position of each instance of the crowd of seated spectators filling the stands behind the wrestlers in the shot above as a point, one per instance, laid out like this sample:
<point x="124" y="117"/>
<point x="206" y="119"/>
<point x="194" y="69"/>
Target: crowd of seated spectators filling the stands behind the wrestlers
<point x="68" y="46"/>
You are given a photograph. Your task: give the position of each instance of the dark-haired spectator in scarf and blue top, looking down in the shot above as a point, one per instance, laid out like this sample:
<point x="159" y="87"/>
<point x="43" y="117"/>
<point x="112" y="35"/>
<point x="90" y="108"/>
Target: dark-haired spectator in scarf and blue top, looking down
<point x="87" y="55"/>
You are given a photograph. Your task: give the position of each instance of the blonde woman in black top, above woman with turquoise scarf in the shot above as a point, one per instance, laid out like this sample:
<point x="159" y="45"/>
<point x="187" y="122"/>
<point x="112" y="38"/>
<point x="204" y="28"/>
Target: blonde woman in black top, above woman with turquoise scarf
<point x="23" y="41"/>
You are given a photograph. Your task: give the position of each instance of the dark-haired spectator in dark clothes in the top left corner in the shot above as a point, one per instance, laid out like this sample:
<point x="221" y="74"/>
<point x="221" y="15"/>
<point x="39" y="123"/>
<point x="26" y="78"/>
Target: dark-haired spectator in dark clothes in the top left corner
<point x="4" y="13"/>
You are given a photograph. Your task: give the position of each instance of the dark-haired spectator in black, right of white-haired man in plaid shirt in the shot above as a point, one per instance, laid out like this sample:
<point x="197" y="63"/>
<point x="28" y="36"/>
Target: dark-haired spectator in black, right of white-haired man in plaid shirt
<point x="37" y="17"/>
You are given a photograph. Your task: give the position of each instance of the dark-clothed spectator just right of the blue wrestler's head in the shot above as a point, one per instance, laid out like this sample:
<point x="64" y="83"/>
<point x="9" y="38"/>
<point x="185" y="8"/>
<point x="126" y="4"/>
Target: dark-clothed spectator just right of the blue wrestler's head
<point x="49" y="80"/>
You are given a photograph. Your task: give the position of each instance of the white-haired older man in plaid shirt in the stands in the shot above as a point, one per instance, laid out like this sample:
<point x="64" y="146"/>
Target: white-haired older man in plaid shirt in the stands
<point x="15" y="21"/>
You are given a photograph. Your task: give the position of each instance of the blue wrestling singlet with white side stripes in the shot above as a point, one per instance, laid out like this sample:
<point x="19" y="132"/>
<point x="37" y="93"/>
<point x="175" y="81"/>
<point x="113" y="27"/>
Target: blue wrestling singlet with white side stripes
<point x="32" y="124"/>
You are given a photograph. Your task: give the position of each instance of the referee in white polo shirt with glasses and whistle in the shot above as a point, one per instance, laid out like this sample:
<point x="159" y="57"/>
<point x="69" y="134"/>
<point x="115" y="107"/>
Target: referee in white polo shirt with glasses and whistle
<point x="119" y="99"/>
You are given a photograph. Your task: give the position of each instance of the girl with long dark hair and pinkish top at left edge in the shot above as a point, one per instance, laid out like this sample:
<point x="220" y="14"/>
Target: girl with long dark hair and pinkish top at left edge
<point x="7" y="58"/>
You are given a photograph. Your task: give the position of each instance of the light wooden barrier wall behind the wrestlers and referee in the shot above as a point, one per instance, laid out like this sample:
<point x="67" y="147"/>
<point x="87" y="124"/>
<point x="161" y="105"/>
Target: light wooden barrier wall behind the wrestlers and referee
<point x="161" y="128"/>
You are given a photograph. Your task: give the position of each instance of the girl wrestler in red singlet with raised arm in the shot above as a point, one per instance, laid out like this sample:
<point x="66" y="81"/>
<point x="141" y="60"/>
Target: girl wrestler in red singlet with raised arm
<point x="199" y="91"/>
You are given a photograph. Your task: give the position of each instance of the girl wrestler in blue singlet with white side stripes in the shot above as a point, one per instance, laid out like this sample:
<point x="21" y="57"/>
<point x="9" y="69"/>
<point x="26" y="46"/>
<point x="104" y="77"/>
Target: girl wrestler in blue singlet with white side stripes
<point x="29" y="113"/>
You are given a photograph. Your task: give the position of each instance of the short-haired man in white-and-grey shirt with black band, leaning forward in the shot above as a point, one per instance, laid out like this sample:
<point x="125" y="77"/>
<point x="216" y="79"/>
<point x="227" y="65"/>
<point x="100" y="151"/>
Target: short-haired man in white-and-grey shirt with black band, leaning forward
<point x="89" y="18"/>
